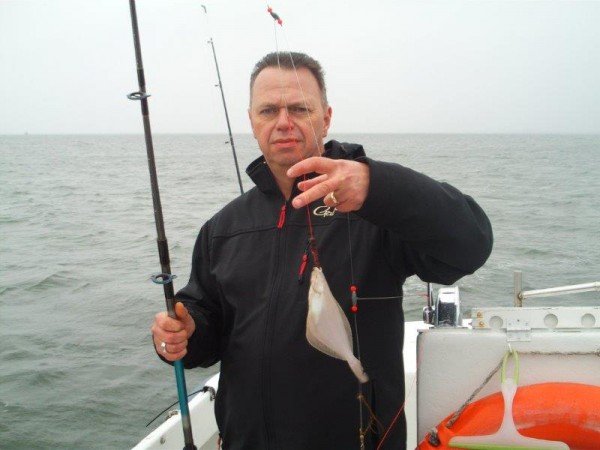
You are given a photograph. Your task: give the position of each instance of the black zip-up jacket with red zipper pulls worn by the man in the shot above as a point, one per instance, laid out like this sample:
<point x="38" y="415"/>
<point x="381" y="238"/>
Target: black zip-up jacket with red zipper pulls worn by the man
<point x="276" y="392"/>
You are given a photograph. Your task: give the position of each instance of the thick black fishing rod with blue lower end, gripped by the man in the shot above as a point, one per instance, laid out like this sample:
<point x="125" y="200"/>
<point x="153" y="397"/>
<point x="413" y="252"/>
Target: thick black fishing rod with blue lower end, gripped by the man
<point x="165" y="278"/>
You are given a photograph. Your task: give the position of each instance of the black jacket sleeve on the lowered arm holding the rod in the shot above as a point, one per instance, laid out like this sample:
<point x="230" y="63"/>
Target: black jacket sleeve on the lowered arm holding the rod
<point x="200" y="297"/>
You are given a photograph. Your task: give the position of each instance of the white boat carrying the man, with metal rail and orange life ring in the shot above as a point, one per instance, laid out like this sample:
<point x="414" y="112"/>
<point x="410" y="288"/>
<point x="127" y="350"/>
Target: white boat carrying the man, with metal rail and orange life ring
<point x="453" y="364"/>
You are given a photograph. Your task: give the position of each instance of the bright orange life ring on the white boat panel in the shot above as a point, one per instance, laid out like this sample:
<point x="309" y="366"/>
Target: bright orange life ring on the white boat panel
<point x="566" y="412"/>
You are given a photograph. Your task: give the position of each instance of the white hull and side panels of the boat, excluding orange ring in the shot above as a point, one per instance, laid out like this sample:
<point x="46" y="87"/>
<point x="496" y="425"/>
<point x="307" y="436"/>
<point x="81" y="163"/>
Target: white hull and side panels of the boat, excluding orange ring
<point x="452" y="363"/>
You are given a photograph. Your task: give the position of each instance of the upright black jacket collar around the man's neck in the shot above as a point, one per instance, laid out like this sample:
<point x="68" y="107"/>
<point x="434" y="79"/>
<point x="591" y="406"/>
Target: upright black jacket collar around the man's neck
<point x="261" y="175"/>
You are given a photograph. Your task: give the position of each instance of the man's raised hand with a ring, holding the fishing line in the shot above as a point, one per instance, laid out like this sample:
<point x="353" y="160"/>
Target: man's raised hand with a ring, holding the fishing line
<point x="347" y="180"/>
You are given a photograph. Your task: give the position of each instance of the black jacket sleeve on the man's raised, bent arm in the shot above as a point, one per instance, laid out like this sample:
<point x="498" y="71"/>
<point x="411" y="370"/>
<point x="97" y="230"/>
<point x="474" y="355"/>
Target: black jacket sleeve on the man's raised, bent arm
<point x="430" y="228"/>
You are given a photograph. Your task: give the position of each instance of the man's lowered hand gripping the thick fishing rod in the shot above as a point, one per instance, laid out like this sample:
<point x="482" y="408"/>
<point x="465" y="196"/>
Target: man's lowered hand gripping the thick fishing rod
<point x="171" y="335"/>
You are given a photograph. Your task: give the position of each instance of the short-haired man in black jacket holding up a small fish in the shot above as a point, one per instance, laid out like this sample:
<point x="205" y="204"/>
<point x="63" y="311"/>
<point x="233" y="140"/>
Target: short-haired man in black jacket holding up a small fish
<point x="246" y="301"/>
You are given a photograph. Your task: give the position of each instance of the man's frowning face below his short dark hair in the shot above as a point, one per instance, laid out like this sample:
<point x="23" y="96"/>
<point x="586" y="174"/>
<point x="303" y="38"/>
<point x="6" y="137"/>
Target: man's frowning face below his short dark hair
<point x="286" y="136"/>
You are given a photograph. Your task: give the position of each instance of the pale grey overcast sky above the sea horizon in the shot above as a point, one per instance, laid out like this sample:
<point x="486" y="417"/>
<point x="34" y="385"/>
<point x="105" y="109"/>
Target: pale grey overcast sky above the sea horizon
<point x="392" y="66"/>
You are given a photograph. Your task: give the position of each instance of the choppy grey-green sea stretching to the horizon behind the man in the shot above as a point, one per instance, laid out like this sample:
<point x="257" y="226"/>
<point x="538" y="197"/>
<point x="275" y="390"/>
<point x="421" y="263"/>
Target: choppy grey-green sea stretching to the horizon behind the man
<point x="77" y="248"/>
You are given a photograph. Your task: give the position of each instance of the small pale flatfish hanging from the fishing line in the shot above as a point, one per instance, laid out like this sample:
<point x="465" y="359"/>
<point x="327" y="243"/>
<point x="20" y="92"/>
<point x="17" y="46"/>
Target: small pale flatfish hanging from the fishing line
<point x="327" y="327"/>
